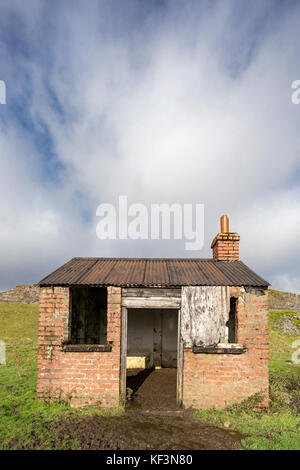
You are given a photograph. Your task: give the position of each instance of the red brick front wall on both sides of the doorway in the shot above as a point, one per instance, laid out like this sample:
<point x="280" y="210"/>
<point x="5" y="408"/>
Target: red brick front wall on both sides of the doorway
<point x="84" y="378"/>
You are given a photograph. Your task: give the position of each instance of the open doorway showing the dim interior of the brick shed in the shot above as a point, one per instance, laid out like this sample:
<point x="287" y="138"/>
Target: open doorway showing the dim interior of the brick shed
<point x="152" y="358"/>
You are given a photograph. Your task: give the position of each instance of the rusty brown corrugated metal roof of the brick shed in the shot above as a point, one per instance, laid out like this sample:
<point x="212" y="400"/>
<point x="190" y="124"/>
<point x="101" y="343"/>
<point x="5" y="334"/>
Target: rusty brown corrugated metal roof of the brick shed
<point x="144" y="272"/>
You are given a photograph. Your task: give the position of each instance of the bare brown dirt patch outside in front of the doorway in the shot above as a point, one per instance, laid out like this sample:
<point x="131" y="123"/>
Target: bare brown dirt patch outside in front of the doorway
<point x="136" y="430"/>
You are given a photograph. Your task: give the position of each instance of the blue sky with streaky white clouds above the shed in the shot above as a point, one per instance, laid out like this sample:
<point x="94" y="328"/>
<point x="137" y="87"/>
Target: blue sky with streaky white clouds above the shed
<point x="161" y="101"/>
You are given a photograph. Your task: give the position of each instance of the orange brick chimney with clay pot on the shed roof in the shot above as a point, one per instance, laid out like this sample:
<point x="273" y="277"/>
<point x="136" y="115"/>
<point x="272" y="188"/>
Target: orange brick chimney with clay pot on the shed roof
<point x="225" y="245"/>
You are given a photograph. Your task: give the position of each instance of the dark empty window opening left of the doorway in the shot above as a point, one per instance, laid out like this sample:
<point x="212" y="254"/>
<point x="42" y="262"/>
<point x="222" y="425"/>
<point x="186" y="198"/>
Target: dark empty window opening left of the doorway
<point x="88" y="315"/>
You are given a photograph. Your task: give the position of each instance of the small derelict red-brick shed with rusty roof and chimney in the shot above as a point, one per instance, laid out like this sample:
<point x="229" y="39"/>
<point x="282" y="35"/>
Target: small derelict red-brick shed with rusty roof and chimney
<point x="208" y="318"/>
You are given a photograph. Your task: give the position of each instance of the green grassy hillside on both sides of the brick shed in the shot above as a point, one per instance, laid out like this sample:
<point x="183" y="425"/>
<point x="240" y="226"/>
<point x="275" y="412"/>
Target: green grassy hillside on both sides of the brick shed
<point x="25" y="423"/>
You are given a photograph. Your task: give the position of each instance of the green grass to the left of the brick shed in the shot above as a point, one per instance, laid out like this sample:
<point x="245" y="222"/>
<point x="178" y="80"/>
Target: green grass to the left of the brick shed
<point x="25" y="422"/>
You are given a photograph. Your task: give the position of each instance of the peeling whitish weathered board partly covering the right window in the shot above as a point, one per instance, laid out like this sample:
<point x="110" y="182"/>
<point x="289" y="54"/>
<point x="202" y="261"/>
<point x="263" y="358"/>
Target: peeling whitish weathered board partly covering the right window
<point x="205" y="311"/>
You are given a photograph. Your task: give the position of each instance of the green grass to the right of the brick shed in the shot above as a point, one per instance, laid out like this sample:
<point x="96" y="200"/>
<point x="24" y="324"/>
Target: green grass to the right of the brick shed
<point x="277" y="427"/>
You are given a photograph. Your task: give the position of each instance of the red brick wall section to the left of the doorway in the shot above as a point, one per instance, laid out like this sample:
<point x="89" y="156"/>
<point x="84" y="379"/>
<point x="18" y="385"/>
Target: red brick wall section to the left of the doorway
<point x="81" y="378"/>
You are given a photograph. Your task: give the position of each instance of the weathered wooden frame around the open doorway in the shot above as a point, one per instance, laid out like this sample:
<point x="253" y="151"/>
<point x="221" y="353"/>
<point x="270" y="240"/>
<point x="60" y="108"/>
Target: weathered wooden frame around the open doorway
<point x="123" y="352"/>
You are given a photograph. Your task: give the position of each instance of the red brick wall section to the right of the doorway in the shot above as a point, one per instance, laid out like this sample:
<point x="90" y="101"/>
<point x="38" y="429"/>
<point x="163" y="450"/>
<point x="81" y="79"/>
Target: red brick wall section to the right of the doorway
<point x="218" y="380"/>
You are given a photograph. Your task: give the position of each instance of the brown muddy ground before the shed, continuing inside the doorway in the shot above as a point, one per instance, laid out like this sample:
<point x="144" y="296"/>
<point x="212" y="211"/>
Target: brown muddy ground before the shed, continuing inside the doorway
<point x="152" y="420"/>
